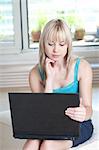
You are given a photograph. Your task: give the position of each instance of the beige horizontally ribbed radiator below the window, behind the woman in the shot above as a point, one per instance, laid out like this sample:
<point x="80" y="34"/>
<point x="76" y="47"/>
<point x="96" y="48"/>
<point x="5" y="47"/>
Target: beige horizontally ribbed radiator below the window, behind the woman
<point x="17" y="75"/>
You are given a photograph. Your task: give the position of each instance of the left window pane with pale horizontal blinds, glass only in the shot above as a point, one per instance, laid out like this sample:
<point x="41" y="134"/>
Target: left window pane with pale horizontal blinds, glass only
<point x="6" y="22"/>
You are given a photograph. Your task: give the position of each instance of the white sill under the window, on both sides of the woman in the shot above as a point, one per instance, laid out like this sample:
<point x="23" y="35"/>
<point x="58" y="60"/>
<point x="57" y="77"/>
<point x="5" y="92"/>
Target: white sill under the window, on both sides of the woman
<point x="30" y="56"/>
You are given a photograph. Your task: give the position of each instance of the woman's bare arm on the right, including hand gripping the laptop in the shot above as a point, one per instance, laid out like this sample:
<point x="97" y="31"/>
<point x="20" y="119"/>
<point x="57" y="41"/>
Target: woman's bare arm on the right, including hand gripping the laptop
<point x="84" y="111"/>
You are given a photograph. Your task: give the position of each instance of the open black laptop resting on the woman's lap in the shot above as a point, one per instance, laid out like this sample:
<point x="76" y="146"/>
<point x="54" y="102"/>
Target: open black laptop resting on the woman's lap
<point x="42" y="115"/>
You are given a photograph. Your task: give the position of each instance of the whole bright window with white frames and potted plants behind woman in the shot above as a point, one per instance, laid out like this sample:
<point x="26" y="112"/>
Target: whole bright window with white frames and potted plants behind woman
<point x="20" y="19"/>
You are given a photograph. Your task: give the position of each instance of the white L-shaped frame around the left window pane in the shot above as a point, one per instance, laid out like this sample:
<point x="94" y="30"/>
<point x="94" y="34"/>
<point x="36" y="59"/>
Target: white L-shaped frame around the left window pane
<point x="16" y="48"/>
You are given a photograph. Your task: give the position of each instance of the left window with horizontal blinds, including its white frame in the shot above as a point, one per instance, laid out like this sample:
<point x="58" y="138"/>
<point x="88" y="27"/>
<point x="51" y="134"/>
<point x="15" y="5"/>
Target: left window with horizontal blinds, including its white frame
<point x="10" y="31"/>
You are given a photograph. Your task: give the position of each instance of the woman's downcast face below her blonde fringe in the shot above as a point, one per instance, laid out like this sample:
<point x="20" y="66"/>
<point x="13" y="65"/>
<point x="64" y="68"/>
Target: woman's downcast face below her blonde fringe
<point x="56" y="50"/>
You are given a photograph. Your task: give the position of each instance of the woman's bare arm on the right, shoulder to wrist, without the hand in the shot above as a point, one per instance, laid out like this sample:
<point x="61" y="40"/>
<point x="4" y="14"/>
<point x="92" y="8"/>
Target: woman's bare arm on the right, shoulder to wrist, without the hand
<point x="85" y="87"/>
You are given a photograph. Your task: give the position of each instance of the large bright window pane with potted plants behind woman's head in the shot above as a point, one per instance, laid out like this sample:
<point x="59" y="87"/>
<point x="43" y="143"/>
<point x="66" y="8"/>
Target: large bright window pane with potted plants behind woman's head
<point x="82" y="17"/>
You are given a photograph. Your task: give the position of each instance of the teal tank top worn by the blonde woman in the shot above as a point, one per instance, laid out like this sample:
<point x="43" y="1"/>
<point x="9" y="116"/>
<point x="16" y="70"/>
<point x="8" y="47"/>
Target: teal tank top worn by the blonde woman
<point x="70" y="88"/>
